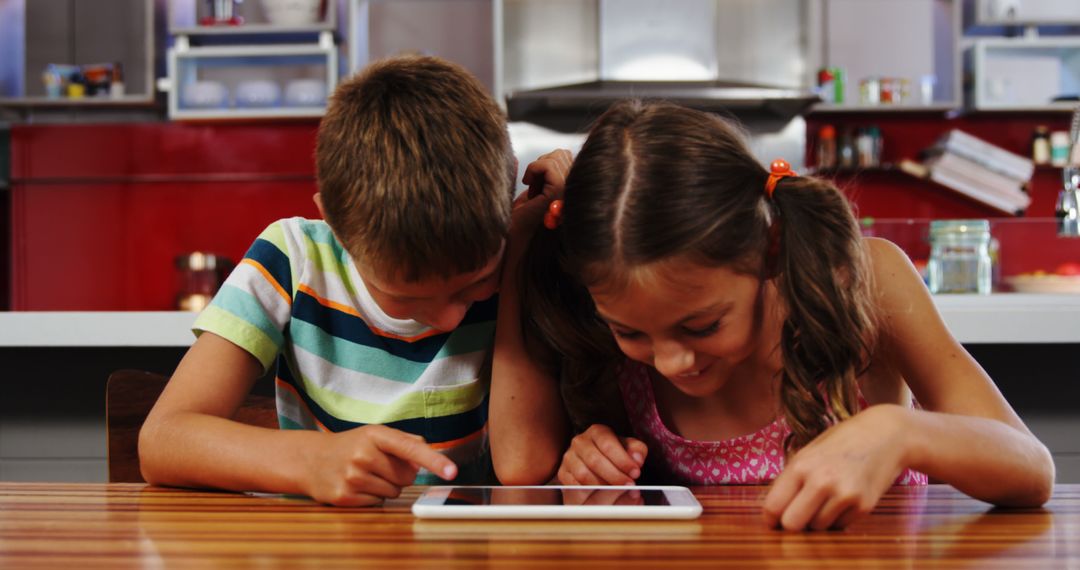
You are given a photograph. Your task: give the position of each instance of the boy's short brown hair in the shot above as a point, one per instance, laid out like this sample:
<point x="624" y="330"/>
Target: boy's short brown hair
<point x="416" y="170"/>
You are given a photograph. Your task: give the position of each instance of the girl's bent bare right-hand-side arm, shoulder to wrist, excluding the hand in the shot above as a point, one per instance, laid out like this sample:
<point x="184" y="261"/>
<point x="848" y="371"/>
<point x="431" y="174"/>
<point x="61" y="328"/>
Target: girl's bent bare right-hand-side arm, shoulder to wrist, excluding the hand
<point x="970" y="437"/>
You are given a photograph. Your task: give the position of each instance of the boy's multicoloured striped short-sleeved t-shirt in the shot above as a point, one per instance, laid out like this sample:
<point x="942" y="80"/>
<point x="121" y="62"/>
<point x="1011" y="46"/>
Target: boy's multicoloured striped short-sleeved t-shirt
<point x="298" y="302"/>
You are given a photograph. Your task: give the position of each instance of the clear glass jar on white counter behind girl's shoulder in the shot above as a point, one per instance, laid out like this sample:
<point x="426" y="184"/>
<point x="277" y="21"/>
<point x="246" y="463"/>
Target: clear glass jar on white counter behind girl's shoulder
<point x="961" y="257"/>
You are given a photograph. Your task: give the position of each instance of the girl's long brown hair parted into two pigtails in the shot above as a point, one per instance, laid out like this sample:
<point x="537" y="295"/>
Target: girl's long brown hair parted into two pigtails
<point x="654" y="182"/>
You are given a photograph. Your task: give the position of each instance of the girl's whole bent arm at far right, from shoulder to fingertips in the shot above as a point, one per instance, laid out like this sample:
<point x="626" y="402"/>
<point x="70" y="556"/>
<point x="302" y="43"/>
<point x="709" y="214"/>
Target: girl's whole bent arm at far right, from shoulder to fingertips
<point x="967" y="437"/>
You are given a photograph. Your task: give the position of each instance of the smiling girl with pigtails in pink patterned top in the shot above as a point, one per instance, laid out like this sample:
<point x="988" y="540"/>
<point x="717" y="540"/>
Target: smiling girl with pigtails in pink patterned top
<point x="713" y="322"/>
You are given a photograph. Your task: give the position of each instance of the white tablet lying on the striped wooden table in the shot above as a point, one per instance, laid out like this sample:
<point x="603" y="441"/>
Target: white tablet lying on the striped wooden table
<point x="558" y="503"/>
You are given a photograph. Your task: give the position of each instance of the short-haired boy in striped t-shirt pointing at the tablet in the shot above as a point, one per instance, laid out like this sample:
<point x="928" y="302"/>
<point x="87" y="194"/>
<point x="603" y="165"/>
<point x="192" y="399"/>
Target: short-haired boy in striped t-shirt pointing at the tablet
<point x="380" y="320"/>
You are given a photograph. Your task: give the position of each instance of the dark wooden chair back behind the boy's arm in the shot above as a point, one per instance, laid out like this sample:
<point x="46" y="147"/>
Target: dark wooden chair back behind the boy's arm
<point x="130" y="395"/>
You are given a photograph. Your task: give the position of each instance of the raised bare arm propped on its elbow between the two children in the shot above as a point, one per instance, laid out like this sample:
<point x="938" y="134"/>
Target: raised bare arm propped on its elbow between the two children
<point x="529" y="425"/>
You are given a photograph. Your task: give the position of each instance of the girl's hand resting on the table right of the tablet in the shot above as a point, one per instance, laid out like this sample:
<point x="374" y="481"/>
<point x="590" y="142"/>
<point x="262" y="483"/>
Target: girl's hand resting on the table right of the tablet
<point x="842" y="474"/>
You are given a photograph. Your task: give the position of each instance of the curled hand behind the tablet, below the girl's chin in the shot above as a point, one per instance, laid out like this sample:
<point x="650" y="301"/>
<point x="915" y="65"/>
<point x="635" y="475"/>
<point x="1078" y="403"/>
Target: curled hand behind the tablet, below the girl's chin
<point x="600" y="457"/>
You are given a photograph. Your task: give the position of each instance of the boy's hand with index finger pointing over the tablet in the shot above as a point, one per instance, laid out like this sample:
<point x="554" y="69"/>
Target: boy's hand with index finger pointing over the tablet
<point x="366" y="466"/>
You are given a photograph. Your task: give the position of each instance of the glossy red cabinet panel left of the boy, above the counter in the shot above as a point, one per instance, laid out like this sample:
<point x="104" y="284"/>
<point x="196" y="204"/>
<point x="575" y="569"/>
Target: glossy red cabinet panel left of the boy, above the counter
<point x="99" y="213"/>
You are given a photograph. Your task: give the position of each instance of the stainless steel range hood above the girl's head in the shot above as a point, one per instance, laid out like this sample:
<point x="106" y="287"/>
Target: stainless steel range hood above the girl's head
<point x="568" y="61"/>
